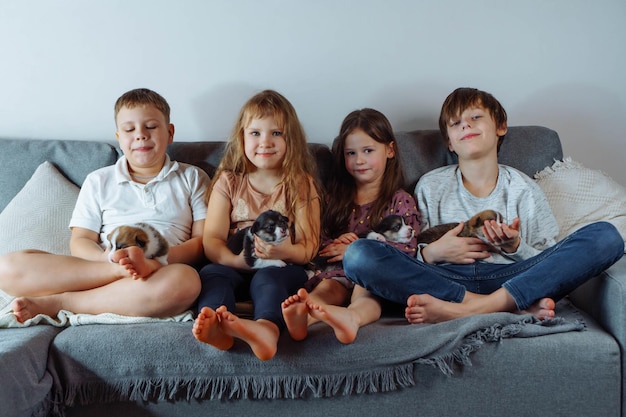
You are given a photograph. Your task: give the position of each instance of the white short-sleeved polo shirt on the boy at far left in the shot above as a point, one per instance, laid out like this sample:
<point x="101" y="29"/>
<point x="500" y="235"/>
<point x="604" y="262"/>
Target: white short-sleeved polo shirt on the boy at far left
<point x="171" y="201"/>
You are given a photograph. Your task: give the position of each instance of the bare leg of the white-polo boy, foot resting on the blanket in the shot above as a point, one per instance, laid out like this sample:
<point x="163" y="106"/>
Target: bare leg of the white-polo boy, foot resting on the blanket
<point x="169" y="291"/>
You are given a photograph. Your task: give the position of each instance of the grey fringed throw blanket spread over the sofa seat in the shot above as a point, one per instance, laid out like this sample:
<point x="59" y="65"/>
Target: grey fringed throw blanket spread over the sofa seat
<point x="162" y="361"/>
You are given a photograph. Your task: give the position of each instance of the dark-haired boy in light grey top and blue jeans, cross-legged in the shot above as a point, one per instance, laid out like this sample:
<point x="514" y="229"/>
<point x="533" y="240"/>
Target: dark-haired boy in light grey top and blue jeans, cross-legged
<point x="449" y="278"/>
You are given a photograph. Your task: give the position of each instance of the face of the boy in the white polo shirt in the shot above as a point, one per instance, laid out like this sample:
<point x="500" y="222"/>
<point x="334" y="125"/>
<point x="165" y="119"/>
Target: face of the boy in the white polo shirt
<point x="143" y="136"/>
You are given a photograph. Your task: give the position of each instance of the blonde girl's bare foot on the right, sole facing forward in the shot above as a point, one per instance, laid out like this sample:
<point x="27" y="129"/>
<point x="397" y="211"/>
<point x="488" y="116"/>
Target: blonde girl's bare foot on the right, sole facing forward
<point x="261" y="335"/>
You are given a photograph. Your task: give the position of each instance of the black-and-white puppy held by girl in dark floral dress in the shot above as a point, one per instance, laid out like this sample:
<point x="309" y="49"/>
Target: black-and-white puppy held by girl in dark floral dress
<point x="390" y="229"/>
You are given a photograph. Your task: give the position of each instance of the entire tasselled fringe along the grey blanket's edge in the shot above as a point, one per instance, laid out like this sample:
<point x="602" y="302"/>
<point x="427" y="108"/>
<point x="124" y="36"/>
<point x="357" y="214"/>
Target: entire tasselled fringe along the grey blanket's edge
<point x="287" y="386"/>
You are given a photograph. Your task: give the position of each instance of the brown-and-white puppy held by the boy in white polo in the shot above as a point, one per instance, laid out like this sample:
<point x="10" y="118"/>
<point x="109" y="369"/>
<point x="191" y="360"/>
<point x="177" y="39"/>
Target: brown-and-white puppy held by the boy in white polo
<point x="145" y="236"/>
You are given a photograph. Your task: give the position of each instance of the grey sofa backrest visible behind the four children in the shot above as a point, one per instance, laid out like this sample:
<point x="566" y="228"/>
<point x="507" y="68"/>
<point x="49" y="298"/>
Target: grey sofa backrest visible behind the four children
<point x="527" y="148"/>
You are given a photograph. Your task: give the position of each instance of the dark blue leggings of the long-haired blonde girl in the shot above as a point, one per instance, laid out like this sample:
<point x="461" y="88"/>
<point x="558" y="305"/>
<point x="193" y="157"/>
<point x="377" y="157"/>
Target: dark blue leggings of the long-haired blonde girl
<point x="266" y="287"/>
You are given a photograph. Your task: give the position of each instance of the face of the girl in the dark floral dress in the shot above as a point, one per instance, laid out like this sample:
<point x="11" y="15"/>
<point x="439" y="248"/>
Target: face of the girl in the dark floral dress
<point x="366" y="159"/>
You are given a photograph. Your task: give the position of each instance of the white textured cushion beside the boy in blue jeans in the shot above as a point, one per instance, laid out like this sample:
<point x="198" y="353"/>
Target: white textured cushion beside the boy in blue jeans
<point x="579" y="196"/>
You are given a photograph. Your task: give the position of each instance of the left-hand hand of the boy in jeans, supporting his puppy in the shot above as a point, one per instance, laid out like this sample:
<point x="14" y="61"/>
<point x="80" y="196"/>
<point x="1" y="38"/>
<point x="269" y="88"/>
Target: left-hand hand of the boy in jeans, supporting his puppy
<point x="454" y="249"/>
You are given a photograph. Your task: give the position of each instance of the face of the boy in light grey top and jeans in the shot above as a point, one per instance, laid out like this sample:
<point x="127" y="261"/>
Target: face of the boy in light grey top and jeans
<point x="474" y="133"/>
